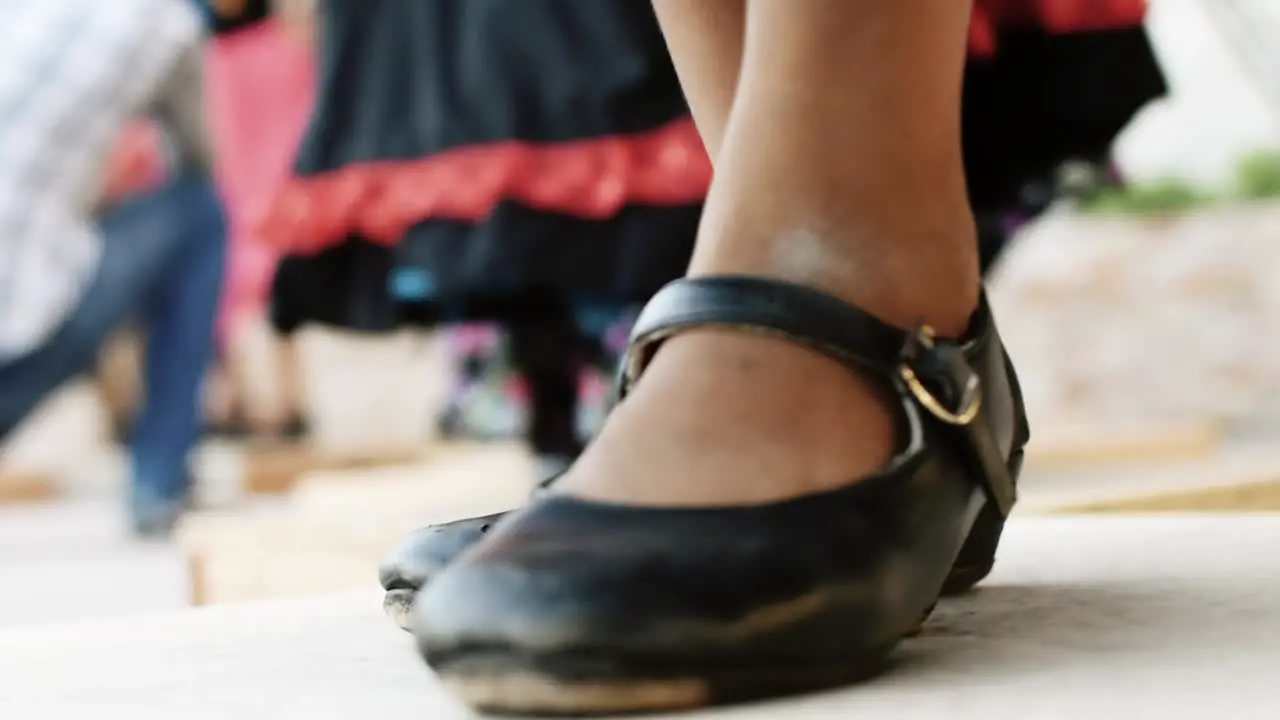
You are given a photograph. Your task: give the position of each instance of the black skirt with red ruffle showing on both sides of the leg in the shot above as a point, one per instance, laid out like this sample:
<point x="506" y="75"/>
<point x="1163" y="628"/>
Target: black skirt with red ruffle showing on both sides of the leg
<point x="468" y="153"/>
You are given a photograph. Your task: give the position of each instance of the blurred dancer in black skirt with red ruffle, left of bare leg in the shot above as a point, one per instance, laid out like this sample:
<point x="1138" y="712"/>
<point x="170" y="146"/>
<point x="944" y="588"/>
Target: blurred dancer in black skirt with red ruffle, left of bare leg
<point x="564" y="186"/>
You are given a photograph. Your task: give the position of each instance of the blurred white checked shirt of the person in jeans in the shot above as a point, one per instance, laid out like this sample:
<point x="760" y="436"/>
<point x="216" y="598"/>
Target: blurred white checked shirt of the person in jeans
<point x="72" y="75"/>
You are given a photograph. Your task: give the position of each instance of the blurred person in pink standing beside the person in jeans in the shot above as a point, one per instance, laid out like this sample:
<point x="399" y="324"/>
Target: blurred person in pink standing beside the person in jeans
<point x="262" y="89"/>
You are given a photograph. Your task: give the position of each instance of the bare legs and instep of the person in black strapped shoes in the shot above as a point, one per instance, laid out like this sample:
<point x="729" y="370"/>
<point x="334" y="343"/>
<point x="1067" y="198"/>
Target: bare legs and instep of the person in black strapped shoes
<point x="839" y="167"/>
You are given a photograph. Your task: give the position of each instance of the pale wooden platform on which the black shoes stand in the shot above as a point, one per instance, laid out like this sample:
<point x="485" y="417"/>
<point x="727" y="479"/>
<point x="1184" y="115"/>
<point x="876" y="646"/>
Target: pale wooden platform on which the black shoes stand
<point x="1103" y="617"/>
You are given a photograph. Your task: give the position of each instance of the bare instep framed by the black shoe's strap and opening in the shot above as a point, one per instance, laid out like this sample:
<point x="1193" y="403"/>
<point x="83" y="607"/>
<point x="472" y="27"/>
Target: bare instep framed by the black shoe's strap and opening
<point x="721" y="420"/>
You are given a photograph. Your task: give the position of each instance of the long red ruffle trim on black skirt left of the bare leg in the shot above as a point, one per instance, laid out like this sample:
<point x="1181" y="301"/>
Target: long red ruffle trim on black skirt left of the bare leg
<point x="589" y="179"/>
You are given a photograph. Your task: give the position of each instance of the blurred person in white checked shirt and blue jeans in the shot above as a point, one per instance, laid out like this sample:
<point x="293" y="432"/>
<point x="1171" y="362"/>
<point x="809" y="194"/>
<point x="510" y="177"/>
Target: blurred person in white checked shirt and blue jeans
<point x="74" y="75"/>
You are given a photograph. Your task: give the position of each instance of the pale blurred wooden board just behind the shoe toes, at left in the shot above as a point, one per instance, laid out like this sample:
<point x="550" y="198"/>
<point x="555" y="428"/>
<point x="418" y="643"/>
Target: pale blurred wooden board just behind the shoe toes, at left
<point x="332" y="532"/>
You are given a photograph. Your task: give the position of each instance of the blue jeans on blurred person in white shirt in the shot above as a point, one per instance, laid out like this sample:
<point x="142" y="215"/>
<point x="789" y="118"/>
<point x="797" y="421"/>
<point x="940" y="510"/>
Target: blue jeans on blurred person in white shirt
<point x="163" y="263"/>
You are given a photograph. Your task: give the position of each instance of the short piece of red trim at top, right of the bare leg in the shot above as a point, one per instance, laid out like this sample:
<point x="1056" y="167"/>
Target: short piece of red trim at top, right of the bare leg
<point x="1059" y="17"/>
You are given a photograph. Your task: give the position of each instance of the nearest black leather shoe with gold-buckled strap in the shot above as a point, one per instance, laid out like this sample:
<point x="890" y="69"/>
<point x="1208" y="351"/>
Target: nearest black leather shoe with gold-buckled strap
<point x="572" y="607"/>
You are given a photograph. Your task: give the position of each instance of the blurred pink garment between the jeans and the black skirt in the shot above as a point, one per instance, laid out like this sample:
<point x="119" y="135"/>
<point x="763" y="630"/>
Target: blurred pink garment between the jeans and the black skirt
<point x="262" y="89"/>
